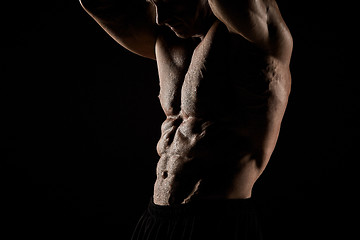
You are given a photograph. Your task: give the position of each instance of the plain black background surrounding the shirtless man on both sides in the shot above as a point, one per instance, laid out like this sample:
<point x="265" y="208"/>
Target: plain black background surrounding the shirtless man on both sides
<point x="81" y="118"/>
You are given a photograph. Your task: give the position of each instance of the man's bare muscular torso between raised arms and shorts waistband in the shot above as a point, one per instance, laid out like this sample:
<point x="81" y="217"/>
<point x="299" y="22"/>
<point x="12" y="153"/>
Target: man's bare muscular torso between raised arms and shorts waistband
<point x="222" y="98"/>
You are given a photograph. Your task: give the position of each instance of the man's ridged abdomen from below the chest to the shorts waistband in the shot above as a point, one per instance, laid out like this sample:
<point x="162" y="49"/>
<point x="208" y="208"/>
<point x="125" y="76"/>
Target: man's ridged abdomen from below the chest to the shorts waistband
<point x="196" y="161"/>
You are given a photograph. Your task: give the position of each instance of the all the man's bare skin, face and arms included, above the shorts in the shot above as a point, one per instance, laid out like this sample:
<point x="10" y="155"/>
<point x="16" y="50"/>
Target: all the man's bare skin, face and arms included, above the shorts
<point x="224" y="85"/>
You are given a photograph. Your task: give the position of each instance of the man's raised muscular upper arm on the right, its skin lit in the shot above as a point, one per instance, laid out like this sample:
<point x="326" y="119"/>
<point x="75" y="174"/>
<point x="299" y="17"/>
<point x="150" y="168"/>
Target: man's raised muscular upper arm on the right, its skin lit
<point x="259" y="21"/>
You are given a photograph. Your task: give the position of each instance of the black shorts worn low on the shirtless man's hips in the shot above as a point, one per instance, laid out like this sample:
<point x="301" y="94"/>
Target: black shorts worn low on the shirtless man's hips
<point x="228" y="219"/>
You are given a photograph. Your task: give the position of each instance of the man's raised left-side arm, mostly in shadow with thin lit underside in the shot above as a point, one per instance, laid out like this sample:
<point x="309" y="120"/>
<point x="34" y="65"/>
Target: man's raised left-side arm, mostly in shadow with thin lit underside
<point x="131" y="23"/>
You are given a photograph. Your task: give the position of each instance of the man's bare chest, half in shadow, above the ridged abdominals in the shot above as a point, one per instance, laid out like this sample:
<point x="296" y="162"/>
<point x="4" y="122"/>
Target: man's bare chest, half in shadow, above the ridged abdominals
<point x="206" y="78"/>
